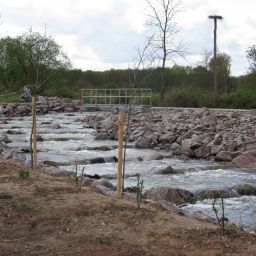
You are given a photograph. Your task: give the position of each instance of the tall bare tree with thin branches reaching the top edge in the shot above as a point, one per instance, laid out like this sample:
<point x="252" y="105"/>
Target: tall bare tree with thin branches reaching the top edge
<point x="162" y="23"/>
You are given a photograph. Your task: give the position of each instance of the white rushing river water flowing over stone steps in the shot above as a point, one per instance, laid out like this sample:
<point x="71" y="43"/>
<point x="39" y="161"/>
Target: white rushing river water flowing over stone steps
<point x="73" y="141"/>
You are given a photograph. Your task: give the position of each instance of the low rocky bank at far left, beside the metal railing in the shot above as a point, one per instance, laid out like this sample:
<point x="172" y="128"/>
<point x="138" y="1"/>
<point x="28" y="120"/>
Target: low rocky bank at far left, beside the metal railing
<point x="44" y="105"/>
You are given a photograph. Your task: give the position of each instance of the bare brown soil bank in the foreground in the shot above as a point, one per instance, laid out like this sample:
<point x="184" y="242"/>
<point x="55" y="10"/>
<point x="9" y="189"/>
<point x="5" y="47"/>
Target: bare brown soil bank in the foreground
<point x="52" y="216"/>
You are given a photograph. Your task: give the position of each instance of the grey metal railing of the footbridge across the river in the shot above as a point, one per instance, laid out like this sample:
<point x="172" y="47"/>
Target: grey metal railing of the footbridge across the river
<point x="92" y="98"/>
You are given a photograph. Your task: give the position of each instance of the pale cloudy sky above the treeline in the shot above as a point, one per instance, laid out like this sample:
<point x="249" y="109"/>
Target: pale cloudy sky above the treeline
<point x="104" y="34"/>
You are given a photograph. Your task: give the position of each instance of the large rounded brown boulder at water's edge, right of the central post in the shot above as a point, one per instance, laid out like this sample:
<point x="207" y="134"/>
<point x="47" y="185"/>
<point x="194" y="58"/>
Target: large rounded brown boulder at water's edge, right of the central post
<point x="175" y="195"/>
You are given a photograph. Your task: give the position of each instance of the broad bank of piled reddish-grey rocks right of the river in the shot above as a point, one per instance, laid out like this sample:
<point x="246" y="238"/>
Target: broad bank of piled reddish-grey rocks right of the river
<point x="220" y="135"/>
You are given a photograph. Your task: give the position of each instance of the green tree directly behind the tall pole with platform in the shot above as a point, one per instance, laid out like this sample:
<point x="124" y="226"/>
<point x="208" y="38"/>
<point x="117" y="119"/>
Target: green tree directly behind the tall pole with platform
<point x="223" y="65"/>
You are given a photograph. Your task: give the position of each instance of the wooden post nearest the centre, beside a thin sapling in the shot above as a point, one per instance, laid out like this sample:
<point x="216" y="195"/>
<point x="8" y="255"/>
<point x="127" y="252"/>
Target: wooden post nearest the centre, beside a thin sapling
<point x="121" y="121"/>
